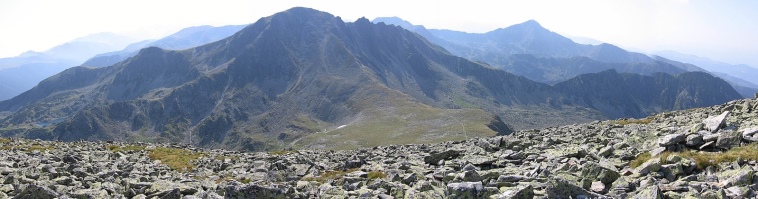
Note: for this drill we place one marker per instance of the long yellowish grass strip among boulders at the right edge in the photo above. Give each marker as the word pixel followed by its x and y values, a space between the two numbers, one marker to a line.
pixel 706 159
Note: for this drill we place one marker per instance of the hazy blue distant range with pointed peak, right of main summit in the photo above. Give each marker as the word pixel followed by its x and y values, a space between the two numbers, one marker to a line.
pixel 554 58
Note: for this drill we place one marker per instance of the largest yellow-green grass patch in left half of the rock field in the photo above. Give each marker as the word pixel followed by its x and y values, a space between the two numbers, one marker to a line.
pixel 177 159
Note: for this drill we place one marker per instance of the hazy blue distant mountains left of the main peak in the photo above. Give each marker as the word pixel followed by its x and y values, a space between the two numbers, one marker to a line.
pixel 21 73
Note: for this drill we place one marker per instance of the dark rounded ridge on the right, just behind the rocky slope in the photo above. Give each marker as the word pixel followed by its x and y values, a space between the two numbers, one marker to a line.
pixel 620 95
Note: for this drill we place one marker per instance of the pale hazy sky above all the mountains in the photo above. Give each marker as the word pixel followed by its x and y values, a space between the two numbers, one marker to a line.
pixel 721 30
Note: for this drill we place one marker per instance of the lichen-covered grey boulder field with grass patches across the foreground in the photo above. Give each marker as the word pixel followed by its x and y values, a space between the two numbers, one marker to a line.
pixel 697 153
